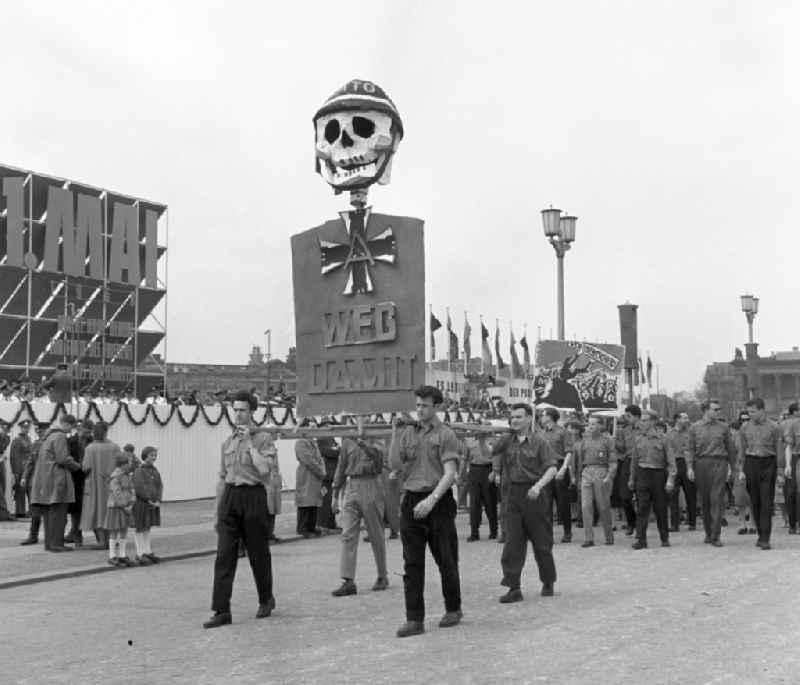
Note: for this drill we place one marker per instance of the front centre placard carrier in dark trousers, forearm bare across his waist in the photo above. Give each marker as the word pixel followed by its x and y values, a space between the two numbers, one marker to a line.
pixel 427 456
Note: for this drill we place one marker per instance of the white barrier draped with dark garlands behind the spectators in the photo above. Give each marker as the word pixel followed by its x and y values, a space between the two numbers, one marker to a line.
pixel 188 457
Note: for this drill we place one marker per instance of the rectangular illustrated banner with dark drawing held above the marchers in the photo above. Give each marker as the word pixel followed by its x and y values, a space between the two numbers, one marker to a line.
pixel 578 375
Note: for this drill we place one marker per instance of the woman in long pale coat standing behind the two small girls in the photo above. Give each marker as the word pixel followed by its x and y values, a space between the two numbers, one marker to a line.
pixel 99 462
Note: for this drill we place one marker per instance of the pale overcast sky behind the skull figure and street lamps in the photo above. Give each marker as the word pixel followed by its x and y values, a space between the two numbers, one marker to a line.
pixel 670 129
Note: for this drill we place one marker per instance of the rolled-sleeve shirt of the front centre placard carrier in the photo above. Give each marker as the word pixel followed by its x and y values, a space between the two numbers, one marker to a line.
pixel 420 452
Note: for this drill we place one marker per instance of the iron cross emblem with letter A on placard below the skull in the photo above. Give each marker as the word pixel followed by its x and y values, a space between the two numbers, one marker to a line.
pixel 358 253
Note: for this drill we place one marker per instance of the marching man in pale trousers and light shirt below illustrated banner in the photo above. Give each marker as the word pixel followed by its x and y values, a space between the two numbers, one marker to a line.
pixel 595 468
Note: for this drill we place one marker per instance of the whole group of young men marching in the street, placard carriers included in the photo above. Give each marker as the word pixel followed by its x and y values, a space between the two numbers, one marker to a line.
pixel 641 469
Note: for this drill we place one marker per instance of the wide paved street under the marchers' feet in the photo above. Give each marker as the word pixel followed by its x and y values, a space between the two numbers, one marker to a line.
pixel 688 614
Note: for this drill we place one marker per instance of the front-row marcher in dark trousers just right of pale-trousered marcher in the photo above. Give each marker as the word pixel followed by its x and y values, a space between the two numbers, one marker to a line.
pixel 652 478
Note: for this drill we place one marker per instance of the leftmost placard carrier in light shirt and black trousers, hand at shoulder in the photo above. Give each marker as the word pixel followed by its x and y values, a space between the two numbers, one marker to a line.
pixel 248 457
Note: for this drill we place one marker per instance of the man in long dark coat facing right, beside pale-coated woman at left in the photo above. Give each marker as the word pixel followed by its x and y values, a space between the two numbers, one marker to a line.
pixel 52 488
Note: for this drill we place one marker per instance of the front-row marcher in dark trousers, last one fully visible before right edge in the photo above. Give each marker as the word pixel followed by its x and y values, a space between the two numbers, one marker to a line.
pixel 761 458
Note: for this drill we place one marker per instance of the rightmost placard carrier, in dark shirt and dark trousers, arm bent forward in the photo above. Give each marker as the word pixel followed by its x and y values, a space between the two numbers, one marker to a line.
pixel 528 463
